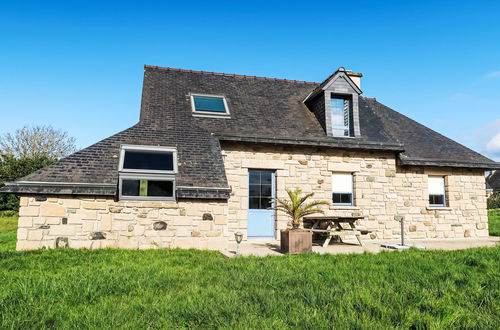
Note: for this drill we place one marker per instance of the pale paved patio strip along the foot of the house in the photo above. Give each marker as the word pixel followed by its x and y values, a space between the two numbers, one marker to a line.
pixel 266 247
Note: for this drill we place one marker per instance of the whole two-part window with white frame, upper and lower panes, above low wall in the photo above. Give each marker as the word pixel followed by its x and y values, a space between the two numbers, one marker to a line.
pixel 147 172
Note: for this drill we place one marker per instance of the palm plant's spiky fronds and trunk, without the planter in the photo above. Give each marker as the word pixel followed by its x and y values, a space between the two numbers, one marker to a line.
pixel 297 208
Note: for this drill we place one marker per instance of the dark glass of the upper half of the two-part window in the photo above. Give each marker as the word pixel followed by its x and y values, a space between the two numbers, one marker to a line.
pixel 148 160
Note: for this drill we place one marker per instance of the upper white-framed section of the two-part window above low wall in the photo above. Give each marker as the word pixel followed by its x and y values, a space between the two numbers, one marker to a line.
pixel 148 159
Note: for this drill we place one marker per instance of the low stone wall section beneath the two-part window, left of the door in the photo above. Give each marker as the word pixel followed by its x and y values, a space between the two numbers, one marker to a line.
pixel 88 222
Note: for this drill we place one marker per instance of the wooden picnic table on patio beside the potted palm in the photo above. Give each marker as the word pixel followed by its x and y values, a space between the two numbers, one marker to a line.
pixel 332 226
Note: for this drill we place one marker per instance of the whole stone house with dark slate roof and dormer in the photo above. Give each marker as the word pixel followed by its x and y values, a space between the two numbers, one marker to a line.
pixel 212 150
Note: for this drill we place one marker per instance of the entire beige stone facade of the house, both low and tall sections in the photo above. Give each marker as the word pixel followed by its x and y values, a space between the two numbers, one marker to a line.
pixel 383 190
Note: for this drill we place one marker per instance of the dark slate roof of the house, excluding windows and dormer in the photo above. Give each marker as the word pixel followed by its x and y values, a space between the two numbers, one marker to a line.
pixel 263 110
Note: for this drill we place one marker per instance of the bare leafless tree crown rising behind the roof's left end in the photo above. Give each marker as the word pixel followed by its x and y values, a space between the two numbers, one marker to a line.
pixel 37 141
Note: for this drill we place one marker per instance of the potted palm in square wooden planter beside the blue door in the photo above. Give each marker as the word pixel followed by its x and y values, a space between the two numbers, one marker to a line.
pixel 297 240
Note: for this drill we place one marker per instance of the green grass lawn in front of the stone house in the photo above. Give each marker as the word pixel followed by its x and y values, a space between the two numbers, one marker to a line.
pixel 200 289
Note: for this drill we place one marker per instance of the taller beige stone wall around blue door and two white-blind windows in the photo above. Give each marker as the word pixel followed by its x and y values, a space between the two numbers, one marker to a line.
pixel 382 190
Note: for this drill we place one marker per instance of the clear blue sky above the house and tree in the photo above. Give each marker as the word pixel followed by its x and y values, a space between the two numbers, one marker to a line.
pixel 78 65
